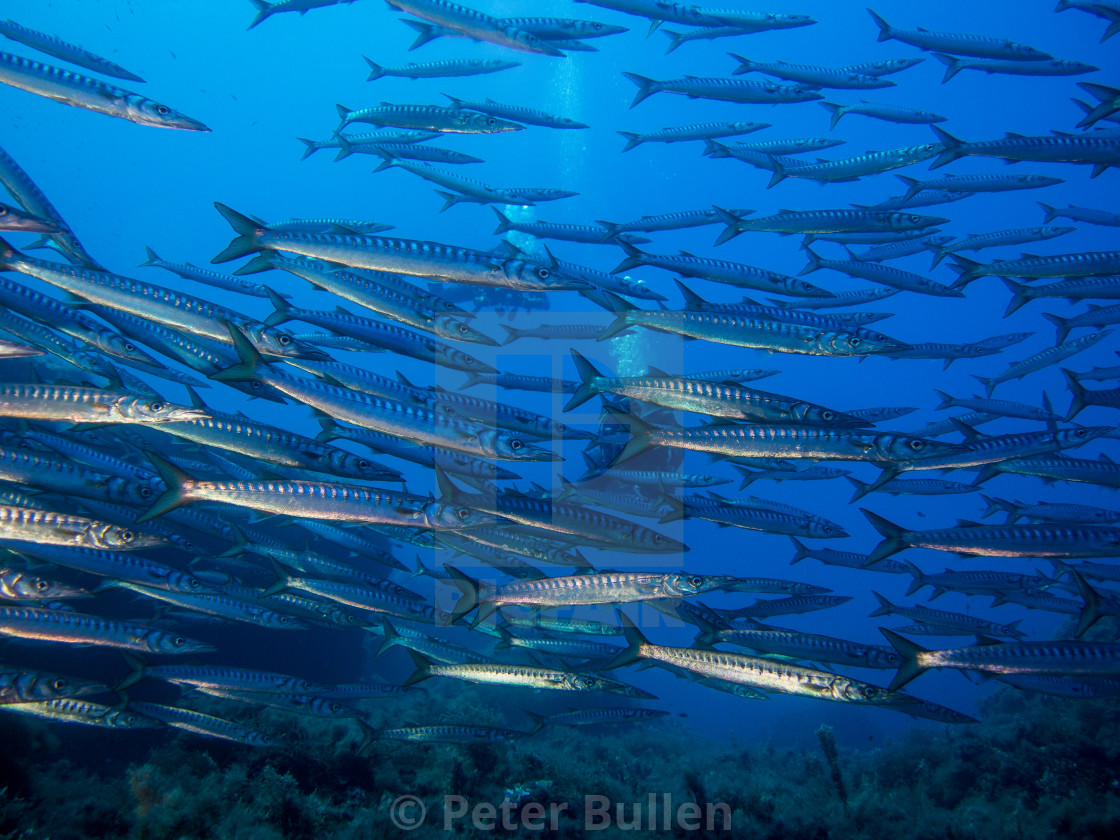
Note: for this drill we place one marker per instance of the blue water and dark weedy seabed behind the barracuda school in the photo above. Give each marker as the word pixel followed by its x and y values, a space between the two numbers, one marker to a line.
pixel 1035 766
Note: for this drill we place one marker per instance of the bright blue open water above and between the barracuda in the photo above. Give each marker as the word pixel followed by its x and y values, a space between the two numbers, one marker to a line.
pixel 123 186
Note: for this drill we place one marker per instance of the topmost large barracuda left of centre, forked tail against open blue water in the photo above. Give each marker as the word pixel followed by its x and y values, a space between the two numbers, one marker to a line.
pixel 431 260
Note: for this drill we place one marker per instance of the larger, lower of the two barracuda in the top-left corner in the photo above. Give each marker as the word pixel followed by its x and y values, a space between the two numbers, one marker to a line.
pixel 73 89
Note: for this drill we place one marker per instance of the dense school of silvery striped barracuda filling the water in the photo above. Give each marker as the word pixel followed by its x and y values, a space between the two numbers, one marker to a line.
pixel 208 519
